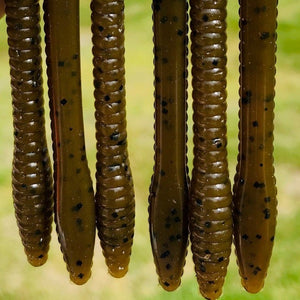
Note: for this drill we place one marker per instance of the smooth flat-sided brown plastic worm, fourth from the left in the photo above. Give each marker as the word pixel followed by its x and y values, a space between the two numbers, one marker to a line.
pixel 168 215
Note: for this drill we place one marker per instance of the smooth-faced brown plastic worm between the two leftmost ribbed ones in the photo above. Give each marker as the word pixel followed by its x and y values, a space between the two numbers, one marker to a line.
pixel 74 197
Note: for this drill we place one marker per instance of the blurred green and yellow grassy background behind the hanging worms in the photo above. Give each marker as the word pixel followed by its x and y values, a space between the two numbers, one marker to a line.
pixel 19 280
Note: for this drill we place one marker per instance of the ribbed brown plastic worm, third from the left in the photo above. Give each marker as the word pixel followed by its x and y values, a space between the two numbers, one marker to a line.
pixel 114 195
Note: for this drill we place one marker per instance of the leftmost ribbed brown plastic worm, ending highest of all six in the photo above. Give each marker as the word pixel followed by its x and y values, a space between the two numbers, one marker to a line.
pixel 31 176
